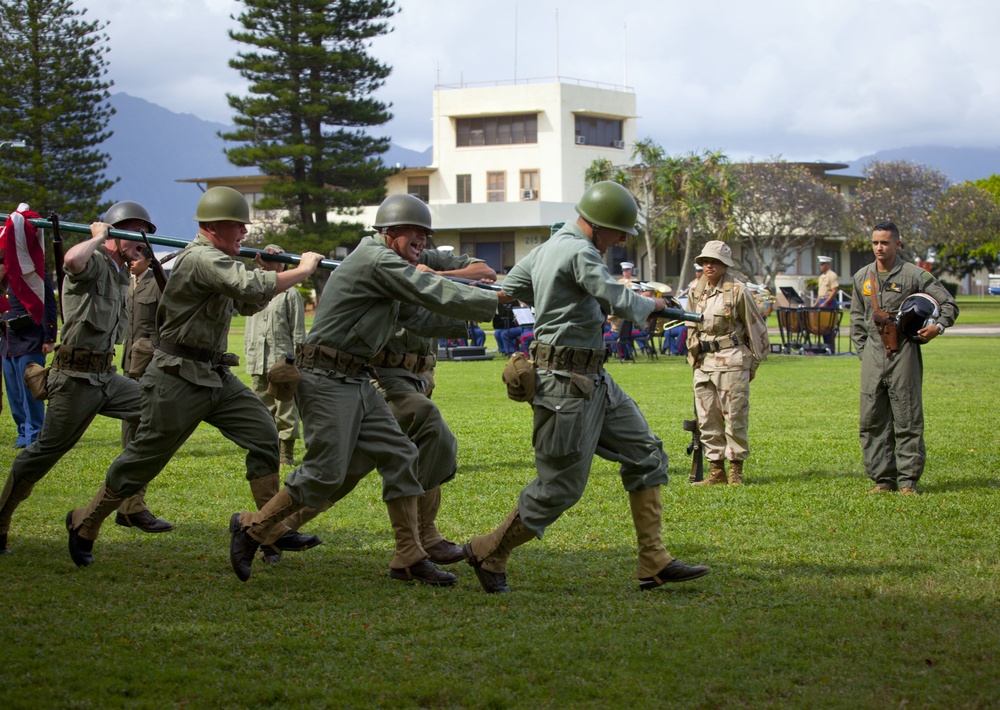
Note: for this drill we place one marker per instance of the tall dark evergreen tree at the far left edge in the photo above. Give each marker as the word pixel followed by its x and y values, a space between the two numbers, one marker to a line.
pixel 55 98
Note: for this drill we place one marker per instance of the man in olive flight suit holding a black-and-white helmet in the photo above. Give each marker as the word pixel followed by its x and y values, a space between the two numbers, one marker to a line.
pixel 892 412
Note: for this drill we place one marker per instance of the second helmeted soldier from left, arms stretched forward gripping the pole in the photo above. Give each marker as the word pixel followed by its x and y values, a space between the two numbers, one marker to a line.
pixel 188 380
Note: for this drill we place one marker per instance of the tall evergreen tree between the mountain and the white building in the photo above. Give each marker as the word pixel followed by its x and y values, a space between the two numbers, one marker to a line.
pixel 310 108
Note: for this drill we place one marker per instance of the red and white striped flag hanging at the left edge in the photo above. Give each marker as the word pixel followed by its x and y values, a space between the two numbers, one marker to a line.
pixel 24 257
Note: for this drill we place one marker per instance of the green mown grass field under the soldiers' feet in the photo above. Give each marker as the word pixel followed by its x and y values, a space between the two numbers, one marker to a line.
pixel 820 595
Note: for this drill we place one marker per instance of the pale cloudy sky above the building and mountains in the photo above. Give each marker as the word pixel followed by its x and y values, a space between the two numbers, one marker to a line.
pixel 807 79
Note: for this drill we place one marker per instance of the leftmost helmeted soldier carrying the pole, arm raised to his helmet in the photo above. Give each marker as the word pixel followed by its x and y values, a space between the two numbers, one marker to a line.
pixel 83 382
